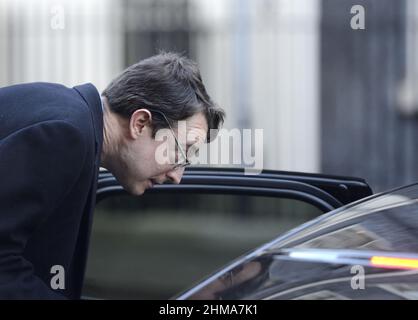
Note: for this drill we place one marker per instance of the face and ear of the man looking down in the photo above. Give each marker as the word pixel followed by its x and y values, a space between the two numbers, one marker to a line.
pixel 137 168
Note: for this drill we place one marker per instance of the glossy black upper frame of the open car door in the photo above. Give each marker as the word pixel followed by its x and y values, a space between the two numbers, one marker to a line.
pixel 325 192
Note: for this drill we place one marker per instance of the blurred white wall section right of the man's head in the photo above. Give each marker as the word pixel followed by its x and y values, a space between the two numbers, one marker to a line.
pixel 280 83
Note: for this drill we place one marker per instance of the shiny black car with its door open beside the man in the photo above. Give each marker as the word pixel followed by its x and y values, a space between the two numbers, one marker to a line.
pixel 344 243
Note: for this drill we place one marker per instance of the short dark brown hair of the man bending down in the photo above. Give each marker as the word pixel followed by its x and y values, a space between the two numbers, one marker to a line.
pixel 167 82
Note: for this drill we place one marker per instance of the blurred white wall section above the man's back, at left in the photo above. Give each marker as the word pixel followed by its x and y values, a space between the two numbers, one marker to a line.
pixel 87 49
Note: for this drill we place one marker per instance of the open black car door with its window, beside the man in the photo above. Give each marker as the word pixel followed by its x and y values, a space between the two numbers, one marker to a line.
pixel 156 245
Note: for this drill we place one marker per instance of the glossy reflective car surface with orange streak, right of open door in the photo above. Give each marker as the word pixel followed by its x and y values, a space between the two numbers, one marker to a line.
pixel 379 233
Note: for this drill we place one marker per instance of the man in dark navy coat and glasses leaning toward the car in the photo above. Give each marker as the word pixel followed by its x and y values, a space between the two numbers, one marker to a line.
pixel 53 140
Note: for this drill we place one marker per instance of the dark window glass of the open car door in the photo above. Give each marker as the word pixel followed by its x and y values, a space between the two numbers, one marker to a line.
pixel 156 245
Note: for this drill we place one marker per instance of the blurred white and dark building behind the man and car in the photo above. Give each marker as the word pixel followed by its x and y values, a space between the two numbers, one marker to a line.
pixel 329 98
